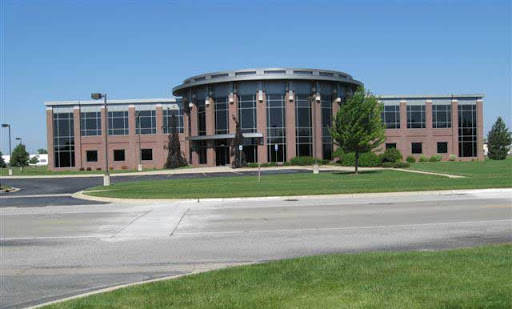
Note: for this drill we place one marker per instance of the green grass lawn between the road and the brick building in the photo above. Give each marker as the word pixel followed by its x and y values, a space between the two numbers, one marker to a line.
pixel 486 174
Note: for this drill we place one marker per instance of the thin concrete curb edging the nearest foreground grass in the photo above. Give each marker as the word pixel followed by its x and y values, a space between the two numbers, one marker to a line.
pixel 121 286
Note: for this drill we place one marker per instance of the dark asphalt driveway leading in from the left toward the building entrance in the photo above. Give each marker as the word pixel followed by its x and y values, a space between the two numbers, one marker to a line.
pixel 54 188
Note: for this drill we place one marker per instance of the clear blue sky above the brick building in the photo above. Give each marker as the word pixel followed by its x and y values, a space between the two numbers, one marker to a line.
pixel 64 50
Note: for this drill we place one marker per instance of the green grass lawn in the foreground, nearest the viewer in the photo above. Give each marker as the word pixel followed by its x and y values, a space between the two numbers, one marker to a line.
pixel 463 278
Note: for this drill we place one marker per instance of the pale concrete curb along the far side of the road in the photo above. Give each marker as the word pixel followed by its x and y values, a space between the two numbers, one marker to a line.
pixel 81 195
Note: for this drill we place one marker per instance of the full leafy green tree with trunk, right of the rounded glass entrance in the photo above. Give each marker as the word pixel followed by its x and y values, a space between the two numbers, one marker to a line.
pixel 358 127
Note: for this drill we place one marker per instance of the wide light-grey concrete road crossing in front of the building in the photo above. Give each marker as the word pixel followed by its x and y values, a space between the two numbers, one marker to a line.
pixel 53 252
